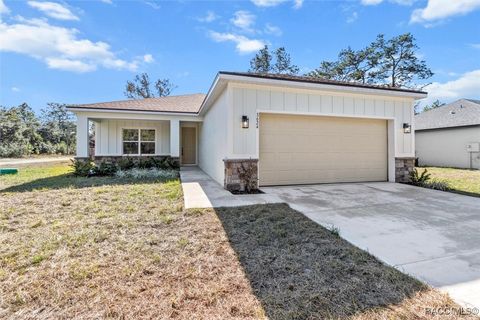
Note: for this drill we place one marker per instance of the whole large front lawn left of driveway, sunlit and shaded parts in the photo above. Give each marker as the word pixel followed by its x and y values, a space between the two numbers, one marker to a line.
pixel 118 248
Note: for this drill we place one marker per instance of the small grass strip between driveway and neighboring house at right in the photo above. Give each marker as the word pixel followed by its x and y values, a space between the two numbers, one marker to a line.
pixel 460 180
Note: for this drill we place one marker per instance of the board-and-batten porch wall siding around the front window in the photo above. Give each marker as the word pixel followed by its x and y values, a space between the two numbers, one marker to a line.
pixel 108 134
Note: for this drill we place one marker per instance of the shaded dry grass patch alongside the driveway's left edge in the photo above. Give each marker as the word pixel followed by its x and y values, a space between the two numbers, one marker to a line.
pixel 300 270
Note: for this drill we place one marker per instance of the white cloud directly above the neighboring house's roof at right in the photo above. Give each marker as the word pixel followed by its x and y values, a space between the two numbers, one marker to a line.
pixel 466 86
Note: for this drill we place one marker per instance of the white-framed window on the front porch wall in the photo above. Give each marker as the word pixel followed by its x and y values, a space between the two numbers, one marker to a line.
pixel 138 141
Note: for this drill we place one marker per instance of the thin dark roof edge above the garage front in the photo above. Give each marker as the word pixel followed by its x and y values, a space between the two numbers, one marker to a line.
pixel 287 77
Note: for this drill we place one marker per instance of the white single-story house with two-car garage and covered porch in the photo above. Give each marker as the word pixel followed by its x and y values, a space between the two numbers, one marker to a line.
pixel 291 129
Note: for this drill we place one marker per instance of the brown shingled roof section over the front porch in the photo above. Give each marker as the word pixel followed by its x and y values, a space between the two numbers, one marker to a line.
pixel 189 103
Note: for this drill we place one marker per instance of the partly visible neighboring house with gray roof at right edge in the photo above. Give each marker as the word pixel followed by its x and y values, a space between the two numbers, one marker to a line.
pixel 449 136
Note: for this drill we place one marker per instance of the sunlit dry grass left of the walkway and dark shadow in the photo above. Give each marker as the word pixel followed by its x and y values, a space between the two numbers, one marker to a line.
pixel 115 250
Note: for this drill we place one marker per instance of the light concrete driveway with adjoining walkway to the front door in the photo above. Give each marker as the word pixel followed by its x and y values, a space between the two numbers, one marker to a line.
pixel 432 235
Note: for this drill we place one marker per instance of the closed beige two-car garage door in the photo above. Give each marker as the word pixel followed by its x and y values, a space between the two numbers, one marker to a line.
pixel 311 149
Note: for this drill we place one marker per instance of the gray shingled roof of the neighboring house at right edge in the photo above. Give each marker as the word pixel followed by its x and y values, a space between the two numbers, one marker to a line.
pixel 463 112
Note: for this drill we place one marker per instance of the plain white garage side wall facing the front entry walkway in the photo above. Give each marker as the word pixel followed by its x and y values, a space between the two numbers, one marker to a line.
pixel 212 138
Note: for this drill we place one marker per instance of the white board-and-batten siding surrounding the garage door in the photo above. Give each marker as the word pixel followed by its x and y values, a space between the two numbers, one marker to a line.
pixel 250 99
